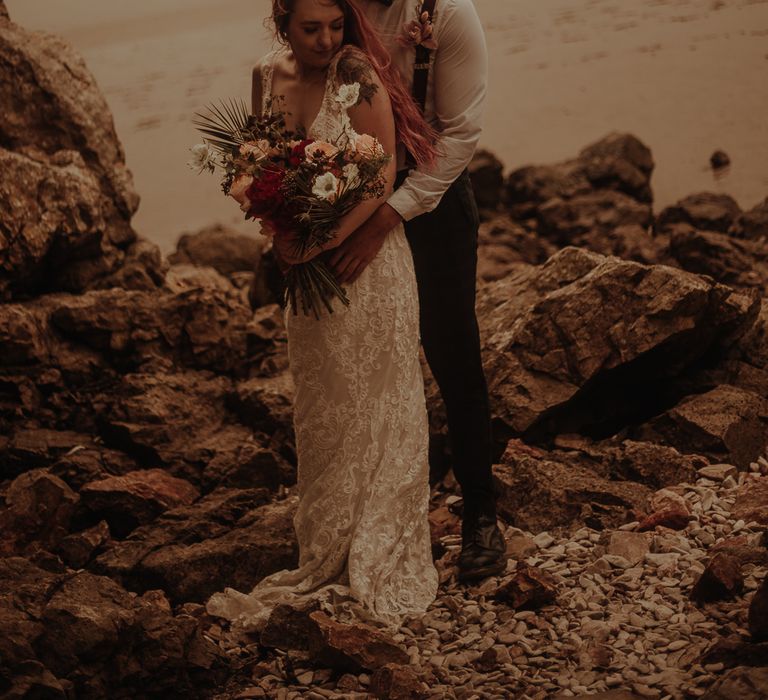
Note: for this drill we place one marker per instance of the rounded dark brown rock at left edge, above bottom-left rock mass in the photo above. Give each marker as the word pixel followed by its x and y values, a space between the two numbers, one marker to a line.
pixel 39 507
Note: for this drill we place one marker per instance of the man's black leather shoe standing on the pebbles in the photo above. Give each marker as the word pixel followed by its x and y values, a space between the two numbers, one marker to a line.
pixel 483 549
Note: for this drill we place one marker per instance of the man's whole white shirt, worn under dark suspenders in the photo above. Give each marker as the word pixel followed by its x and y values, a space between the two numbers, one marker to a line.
pixel 455 92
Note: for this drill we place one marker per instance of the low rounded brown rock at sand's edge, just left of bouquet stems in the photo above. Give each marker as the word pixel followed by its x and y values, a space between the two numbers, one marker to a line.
pixel 225 250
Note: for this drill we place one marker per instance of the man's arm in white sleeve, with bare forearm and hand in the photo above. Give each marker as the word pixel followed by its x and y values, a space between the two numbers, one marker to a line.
pixel 460 75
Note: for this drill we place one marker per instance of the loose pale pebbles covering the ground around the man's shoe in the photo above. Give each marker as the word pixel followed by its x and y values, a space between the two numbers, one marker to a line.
pixel 615 625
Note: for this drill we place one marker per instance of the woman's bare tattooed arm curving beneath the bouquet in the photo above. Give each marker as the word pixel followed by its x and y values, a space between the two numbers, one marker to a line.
pixel 371 115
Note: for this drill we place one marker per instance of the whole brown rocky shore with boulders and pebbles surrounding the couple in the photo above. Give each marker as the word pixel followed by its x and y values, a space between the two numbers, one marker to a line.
pixel 146 450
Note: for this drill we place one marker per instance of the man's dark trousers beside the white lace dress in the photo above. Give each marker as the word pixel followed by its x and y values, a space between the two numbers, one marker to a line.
pixel 444 247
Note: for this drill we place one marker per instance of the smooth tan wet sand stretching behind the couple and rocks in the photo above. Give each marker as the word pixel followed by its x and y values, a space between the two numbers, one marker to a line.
pixel 685 76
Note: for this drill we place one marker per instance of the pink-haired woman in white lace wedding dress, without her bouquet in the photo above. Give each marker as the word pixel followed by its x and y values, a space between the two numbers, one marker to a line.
pixel 359 408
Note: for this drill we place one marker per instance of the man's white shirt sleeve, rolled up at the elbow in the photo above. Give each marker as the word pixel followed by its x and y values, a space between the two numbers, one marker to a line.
pixel 459 86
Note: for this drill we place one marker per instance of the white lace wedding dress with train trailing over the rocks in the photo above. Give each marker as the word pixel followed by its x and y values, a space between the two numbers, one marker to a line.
pixel 361 439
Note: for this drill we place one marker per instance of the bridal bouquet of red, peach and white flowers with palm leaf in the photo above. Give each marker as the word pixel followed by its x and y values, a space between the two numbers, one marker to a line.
pixel 297 187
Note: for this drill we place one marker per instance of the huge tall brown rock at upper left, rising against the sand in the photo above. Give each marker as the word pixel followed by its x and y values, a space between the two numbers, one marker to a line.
pixel 67 194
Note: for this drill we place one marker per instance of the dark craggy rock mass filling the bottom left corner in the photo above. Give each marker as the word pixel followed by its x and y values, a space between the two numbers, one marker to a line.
pixel 87 635
